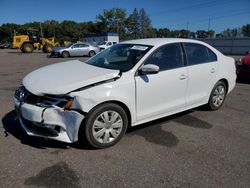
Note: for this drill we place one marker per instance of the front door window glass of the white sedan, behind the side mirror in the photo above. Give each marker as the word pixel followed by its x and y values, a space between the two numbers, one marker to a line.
pixel 167 57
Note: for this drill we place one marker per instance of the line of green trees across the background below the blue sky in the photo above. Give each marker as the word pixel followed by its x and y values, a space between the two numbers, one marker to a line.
pixel 129 26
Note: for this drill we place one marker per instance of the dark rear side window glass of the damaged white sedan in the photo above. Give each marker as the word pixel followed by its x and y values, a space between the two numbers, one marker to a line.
pixel 198 54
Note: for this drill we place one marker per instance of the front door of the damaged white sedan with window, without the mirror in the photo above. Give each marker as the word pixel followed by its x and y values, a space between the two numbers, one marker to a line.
pixel 165 91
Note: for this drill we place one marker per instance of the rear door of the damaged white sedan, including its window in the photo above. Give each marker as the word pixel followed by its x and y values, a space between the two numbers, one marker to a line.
pixel 202 70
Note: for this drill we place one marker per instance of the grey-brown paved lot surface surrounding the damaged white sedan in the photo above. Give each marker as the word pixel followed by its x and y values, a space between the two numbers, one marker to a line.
pixel 196 148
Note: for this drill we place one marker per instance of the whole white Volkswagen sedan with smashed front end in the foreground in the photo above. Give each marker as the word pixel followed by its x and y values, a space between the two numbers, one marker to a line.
pixel 125 85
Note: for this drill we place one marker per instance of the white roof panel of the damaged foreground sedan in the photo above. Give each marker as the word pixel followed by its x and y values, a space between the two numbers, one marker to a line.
pixel 160 41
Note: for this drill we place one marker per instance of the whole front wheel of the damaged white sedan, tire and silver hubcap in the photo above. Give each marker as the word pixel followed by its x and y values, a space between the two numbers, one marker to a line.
pixel 105 125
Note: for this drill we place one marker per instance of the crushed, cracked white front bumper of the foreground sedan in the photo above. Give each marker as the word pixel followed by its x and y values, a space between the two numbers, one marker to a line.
pixel 49 122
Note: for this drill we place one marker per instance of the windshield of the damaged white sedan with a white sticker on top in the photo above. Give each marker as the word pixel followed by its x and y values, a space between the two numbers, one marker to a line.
pixel 120 56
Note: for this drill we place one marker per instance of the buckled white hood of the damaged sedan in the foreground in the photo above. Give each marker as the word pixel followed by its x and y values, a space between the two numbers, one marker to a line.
pixel 62 78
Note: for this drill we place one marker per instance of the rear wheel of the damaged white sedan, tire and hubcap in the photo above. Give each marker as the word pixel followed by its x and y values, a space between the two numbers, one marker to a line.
pixel 217 96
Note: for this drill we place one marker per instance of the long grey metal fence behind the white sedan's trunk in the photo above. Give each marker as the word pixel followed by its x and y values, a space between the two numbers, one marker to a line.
pixel 230 46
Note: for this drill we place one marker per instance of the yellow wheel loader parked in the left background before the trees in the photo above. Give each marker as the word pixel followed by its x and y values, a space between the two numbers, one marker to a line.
pixel 27 43
